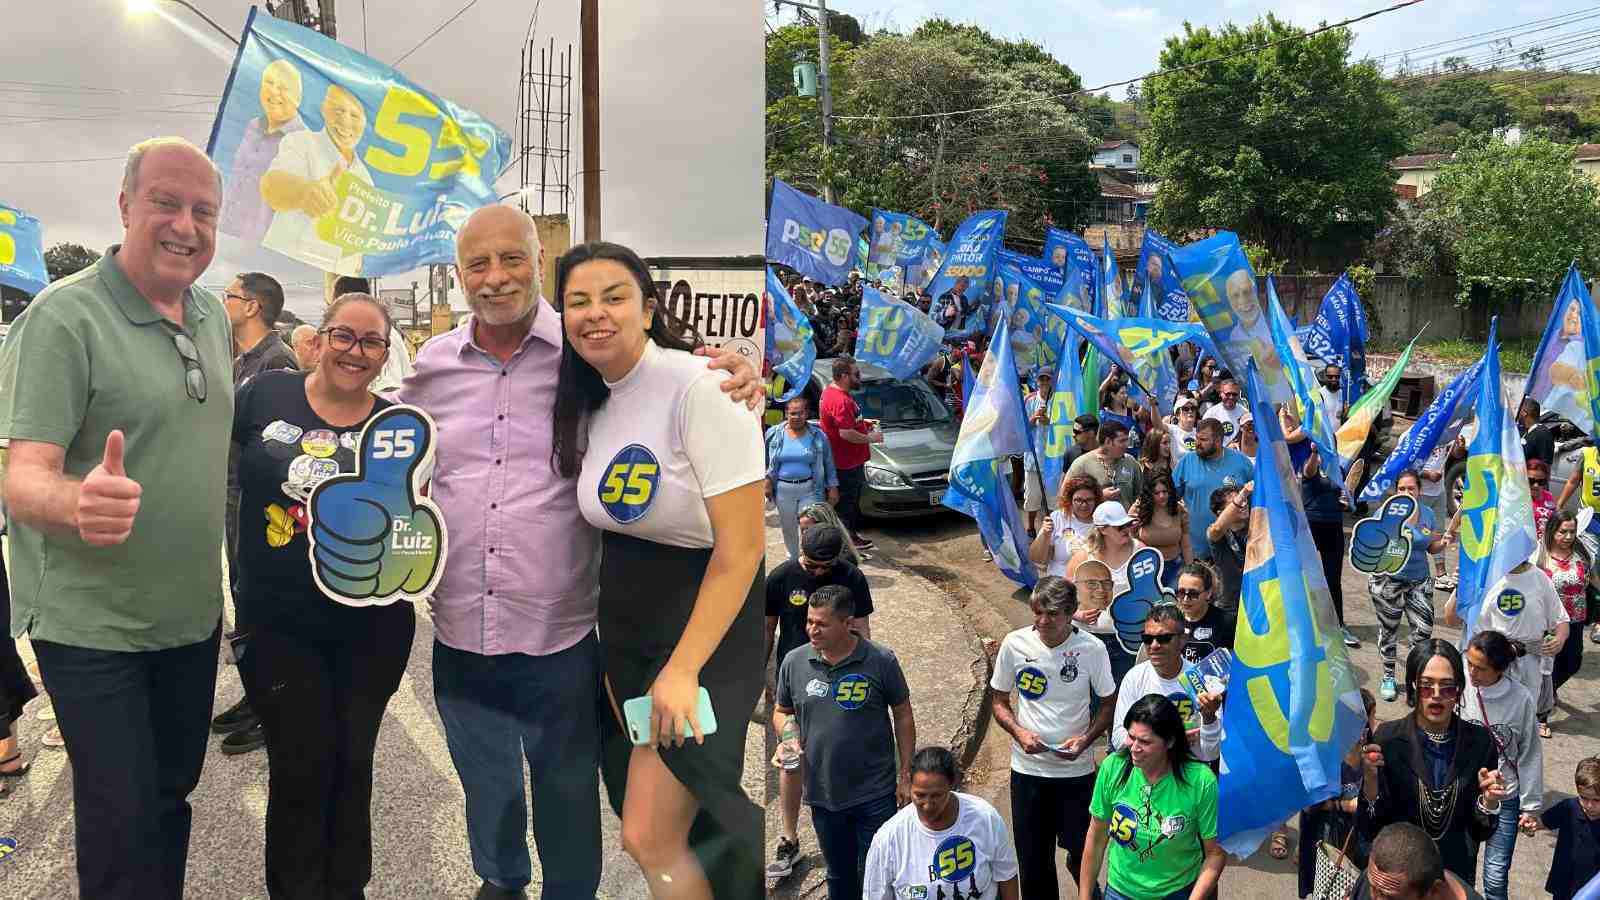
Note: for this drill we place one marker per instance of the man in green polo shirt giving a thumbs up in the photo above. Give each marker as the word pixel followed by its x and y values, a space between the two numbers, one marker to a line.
pixel 116 393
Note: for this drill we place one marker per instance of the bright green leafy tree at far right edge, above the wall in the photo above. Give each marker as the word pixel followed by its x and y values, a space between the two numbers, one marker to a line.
pixel 1516 215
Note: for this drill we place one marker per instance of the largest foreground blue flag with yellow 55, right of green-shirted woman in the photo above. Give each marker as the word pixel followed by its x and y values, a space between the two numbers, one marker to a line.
pixel 1294 707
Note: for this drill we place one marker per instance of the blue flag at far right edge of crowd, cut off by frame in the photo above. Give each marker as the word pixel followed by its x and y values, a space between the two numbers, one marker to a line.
pixel 1564 374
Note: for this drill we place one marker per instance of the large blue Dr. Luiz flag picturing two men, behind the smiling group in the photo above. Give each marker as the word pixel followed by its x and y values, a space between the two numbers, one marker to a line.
pixel 342 163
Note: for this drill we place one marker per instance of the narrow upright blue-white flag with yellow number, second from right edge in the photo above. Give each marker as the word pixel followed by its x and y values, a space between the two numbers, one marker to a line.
pixel 1497 512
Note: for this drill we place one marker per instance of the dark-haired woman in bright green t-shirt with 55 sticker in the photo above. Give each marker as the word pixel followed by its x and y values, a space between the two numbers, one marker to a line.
pixel 1158 805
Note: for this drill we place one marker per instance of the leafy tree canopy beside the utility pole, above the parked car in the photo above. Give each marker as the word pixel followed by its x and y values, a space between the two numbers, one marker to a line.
pixel 1028 158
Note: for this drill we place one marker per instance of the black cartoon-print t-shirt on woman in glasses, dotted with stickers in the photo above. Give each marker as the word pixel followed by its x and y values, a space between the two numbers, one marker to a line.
pixel 284 451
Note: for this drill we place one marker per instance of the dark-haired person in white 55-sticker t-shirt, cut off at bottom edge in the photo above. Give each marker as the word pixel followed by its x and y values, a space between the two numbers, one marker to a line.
pixel 943 845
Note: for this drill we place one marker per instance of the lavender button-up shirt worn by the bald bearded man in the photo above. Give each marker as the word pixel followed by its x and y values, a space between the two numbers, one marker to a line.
pixel 522 574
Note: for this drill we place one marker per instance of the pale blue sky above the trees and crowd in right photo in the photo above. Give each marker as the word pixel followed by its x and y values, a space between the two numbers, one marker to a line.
pixel 1110 42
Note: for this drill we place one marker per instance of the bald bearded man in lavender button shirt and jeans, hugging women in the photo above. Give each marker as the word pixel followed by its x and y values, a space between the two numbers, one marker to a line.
pixel 516 657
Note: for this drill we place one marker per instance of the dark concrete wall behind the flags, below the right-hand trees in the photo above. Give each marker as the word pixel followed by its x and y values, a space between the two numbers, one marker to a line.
pixel 1399 308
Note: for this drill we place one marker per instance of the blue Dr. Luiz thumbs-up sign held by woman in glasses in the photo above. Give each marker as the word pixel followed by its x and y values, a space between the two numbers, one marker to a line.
pixel 374 536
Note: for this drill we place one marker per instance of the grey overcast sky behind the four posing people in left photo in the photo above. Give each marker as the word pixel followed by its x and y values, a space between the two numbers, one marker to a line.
pixel 681 110
